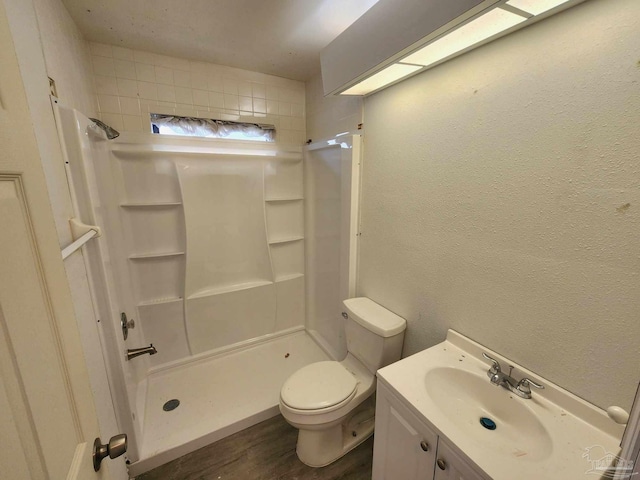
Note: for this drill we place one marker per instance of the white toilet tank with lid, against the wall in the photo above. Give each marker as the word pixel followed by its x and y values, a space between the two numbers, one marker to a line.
pixel 374 334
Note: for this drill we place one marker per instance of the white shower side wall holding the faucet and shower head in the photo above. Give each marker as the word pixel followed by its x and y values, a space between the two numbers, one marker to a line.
pixel 99 298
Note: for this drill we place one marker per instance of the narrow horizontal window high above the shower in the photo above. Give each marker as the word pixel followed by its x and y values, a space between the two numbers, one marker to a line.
pixel 211 128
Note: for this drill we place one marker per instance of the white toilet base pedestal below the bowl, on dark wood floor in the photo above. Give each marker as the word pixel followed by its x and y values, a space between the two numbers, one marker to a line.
pixel 320 447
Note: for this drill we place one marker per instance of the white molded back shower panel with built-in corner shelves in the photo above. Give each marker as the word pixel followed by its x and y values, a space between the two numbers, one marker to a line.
pixel 214 244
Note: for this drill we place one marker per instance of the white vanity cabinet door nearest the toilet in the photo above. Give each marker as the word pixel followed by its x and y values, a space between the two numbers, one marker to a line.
pixel 404 448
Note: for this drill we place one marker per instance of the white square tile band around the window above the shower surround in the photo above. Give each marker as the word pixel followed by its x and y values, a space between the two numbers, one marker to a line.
pixel 132 83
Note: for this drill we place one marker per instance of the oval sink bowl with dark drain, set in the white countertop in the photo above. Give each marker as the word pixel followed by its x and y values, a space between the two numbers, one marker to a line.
pixel 464 398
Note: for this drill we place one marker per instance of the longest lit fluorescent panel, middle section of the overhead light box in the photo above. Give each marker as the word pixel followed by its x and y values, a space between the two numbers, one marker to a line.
pixel 483 27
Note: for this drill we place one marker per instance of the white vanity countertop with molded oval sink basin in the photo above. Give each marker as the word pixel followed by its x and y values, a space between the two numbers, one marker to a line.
pixel 545 436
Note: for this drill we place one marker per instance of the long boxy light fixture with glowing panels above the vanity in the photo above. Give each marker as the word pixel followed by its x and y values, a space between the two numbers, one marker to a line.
pixel 489 20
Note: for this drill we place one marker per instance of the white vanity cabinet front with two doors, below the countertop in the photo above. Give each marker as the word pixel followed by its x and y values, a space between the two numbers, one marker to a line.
pixel 405 448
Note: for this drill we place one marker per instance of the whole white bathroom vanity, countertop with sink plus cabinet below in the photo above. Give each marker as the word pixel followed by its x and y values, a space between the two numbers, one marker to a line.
pixel 428 421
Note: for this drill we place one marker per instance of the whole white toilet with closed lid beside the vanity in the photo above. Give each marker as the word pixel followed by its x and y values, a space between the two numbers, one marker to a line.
pixel 332 404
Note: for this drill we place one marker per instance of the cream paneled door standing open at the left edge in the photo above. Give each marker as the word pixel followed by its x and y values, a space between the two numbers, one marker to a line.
pixel 47 417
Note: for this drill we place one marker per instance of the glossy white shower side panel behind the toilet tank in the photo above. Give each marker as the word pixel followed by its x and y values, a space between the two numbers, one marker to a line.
pixel 332 180
